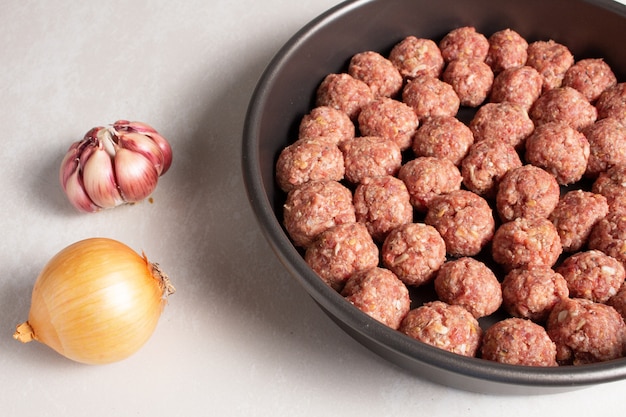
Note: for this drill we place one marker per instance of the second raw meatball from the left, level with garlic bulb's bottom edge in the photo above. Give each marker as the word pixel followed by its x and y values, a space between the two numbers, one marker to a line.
pixel 382 203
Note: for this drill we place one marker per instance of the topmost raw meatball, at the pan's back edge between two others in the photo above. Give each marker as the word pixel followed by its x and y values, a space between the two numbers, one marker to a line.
pixel 464 42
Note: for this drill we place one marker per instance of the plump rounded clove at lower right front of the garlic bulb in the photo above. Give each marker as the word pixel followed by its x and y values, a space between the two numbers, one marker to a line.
pixel 136 175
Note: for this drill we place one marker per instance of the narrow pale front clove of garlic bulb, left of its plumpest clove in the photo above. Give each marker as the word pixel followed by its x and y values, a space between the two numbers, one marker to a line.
pixel 99 179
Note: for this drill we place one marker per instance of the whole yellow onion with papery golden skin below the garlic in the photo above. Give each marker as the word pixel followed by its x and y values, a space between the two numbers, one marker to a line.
pixel 97 301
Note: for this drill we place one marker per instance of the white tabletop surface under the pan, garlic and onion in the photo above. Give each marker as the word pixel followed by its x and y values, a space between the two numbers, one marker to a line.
pixel 240 337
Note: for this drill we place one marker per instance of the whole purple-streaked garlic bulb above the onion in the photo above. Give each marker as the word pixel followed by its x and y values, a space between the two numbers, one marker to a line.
pixel 114 165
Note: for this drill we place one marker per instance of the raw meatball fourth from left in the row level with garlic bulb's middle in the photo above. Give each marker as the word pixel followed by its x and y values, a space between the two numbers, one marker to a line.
pixel 486 163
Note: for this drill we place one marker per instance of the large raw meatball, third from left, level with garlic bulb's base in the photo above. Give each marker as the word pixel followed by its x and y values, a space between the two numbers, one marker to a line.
pixel 464 220
